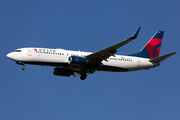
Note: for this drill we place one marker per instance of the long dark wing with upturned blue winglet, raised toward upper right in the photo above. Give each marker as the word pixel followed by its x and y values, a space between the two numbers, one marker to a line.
pixel 103 54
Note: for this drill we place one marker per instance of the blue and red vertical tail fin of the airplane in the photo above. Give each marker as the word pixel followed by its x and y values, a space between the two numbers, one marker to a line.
pixel 152 48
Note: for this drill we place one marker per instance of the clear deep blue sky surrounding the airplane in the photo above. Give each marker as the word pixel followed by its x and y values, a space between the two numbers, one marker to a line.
pixel 88 26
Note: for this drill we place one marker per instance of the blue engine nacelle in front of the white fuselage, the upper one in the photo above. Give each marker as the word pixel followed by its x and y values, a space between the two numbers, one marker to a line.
pixel 77 60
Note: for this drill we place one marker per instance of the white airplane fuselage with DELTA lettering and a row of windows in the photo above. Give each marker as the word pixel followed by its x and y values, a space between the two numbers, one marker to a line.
pixel 59 58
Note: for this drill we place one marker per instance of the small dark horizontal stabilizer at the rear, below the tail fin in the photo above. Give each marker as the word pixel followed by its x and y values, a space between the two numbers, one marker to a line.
pixel 161 58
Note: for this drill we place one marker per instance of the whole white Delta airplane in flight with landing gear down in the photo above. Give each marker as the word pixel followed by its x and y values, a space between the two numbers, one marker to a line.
pixel 80 64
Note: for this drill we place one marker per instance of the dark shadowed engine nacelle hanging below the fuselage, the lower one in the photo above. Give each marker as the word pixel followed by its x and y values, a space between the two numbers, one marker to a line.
pixel 62 72
